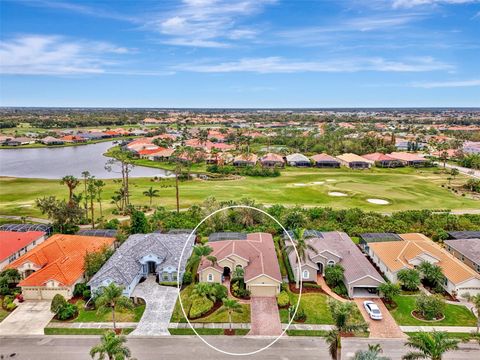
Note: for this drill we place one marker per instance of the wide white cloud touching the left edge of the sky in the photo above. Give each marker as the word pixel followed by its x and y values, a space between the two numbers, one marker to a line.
pixel 55 55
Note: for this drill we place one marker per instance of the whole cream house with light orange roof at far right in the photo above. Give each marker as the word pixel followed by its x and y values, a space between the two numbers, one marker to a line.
pixel 393 256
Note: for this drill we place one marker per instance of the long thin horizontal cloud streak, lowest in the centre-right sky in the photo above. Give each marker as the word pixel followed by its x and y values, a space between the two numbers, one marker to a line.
pixel 281 65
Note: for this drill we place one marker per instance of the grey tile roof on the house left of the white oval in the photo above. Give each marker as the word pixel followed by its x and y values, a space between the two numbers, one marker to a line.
pixel 124 265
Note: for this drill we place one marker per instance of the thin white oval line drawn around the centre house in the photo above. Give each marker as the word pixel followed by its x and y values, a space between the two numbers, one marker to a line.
pixel 298 276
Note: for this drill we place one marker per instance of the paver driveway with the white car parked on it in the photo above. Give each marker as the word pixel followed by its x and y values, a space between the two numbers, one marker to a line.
pixel 385 328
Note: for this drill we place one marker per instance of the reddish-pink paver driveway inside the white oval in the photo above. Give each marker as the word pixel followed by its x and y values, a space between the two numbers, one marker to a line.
pixel 265 319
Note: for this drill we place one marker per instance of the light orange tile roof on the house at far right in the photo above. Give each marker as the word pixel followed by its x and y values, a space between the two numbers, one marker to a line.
pixel 397 254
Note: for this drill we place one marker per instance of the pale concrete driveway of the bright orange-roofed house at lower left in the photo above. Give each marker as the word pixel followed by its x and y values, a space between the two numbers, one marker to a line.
pixel 30 318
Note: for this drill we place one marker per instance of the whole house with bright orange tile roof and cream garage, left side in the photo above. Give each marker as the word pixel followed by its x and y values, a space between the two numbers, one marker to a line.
pixel 56 265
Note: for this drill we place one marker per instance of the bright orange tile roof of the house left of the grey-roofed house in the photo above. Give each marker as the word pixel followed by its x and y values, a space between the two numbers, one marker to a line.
pixel 60 258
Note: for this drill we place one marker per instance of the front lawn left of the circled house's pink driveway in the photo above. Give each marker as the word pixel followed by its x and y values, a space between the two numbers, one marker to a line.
pixel 217 317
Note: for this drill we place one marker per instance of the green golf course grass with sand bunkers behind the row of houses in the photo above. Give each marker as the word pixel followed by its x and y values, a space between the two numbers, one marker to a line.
pixel 405 189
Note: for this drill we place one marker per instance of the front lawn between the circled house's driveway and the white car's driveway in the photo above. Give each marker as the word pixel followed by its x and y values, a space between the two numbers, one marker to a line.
pixel 316 309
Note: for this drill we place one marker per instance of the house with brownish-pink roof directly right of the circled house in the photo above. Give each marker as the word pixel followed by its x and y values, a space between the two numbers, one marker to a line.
pixel 360 277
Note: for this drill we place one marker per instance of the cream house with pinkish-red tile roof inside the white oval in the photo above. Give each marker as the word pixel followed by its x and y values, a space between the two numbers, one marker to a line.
pixel 256 255
